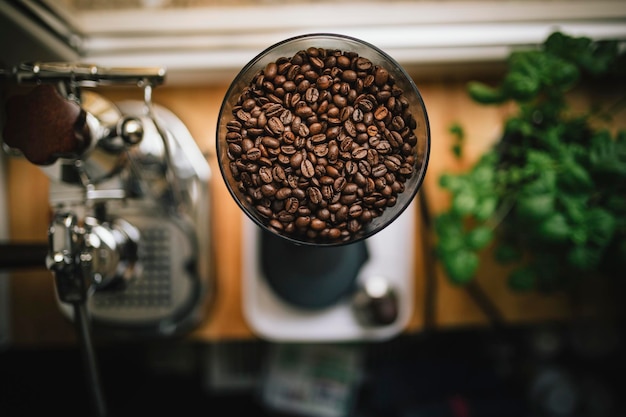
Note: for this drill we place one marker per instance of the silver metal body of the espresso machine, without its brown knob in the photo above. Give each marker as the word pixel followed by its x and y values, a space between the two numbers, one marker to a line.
pixel 131 213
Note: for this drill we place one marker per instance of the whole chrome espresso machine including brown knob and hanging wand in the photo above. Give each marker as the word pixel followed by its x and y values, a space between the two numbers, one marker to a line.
pixel 129 232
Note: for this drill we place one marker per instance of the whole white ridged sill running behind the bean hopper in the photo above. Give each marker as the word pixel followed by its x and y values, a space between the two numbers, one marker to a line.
pixel 211 44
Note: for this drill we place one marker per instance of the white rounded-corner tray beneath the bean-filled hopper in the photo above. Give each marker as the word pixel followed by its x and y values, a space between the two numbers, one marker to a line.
pixel 391 253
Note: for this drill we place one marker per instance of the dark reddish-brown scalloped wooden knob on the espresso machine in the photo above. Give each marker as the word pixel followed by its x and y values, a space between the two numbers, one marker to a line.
pixel 45 126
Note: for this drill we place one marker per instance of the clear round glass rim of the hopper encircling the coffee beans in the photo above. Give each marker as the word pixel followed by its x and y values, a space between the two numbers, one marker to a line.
pixel 397 211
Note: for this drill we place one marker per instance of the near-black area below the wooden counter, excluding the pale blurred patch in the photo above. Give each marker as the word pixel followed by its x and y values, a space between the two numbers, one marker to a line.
pixel 572 369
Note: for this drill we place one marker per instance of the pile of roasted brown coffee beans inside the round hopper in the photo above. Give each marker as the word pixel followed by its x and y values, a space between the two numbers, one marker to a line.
pixel 321 143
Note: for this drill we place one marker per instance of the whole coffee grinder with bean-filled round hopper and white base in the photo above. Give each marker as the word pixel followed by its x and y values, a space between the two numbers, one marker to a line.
pixel 323 141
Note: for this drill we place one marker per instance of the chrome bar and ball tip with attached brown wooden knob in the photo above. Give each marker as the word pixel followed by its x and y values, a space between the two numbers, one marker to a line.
pixel 48 123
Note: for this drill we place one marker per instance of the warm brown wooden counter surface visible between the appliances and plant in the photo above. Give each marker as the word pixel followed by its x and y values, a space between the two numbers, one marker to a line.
pixel 36 320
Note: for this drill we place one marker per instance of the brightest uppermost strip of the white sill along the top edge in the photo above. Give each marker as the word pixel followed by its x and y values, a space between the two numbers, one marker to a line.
pixel 254 19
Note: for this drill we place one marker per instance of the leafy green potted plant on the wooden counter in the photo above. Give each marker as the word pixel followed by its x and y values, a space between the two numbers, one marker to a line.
pixel 550 196
